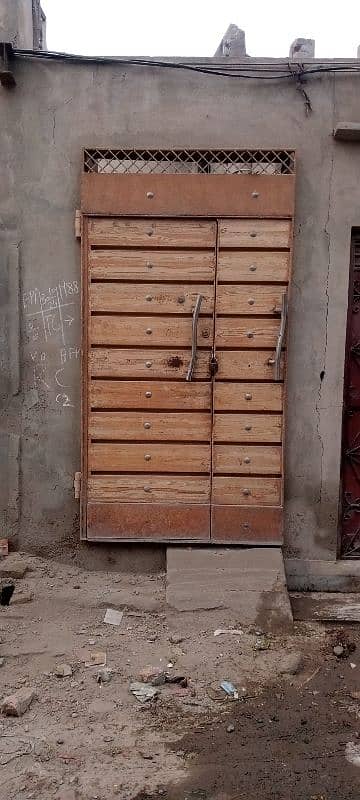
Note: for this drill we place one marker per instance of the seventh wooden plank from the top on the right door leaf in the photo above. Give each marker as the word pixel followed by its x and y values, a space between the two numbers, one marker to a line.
pixel 247 427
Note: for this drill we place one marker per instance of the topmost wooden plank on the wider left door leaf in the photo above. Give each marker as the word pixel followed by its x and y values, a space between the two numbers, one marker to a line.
pixel 149 233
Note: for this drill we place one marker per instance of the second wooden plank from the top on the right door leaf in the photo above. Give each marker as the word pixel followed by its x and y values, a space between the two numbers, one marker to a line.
pixel 239 266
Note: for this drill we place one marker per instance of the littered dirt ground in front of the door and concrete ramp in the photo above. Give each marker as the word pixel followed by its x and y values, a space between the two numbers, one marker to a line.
pixel 286 737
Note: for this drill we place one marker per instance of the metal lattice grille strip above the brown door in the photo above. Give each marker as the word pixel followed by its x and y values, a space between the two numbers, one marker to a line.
pixel 182 162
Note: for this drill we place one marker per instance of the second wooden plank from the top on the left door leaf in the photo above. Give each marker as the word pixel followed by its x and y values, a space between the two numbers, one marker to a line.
pixel 152 265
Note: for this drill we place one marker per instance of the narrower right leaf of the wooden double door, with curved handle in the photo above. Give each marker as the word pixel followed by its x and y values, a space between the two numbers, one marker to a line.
pixel 254 258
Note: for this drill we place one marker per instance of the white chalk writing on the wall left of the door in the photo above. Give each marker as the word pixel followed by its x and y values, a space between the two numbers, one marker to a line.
pixel 51 318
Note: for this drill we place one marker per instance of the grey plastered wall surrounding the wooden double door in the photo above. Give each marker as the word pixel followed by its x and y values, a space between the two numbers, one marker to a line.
pixel 55 110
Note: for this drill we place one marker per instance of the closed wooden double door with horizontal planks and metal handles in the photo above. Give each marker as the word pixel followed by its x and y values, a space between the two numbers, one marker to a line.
pixel 184 369
